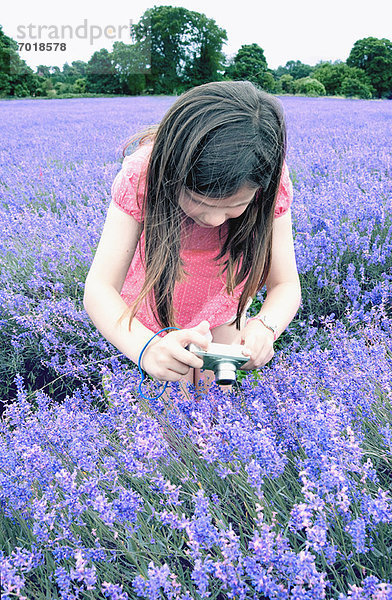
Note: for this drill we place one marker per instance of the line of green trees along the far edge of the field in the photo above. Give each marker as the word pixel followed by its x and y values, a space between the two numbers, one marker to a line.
pixel 173 49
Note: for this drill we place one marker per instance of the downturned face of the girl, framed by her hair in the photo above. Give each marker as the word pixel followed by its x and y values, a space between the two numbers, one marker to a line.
pixel 212 212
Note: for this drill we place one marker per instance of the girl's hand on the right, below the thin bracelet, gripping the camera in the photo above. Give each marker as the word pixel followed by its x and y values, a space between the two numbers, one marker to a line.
pixel 258 345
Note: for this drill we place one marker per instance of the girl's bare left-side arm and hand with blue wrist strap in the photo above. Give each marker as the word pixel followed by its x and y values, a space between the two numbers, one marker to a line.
pixel 166 357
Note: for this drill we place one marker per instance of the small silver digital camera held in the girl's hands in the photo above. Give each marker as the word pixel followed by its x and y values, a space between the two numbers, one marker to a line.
pixel 223 359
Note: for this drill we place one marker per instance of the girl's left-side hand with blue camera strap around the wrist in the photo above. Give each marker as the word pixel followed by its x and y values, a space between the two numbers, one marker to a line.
pixel 168 360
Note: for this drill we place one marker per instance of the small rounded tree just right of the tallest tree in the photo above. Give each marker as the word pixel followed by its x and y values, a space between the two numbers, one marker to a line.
pixel 249 64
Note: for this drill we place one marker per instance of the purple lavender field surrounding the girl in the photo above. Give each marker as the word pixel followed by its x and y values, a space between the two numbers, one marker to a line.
pixel 279 490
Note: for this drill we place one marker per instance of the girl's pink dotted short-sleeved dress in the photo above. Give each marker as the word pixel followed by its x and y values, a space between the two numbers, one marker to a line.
pixel 202 295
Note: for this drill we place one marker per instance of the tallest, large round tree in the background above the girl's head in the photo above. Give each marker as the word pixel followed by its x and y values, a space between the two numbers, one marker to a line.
pixel 184 45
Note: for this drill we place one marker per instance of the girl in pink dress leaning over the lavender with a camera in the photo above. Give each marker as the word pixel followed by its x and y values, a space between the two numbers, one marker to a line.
pixel 199 221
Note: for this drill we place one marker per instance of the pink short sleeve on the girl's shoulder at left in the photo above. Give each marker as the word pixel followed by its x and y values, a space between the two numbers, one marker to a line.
pixel 125 191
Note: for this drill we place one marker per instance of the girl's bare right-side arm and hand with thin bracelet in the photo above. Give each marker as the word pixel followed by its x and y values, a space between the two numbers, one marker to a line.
pixel 283 295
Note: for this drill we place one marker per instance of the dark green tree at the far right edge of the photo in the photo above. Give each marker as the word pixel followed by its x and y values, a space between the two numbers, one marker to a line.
pixel 374 56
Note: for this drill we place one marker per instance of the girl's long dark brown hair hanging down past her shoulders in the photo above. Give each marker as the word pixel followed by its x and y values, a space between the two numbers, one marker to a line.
pixel 215 139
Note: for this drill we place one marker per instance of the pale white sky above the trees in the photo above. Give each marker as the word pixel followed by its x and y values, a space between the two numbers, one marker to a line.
pixel 304 30
